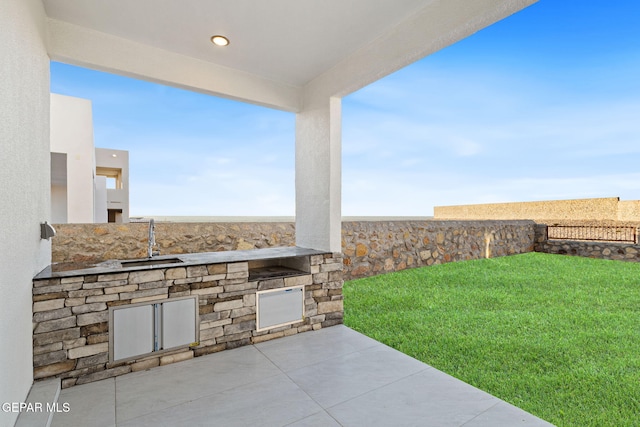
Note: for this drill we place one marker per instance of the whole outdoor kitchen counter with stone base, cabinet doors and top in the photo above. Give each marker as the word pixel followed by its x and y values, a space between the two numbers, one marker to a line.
pixel 124 316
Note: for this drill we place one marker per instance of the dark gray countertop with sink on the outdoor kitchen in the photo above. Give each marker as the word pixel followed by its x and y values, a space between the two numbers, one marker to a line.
pixel 61 270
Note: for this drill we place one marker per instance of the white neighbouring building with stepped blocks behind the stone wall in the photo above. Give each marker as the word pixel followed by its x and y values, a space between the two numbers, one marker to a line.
pixel 88 185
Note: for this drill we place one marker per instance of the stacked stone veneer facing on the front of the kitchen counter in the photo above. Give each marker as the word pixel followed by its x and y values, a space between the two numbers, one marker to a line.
pixel 71 316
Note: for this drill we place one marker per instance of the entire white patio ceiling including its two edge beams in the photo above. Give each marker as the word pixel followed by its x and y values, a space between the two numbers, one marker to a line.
pixel 278 49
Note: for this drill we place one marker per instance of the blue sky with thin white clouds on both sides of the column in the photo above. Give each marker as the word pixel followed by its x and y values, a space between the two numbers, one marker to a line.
pixel 543 105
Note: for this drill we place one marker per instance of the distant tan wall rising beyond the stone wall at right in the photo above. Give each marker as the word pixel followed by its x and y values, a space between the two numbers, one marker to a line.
pixel 601 209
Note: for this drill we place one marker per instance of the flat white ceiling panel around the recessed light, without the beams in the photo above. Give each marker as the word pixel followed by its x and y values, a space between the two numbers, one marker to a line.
pixel 288 41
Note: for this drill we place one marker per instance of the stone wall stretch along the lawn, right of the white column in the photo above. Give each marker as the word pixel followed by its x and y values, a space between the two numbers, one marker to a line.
pixel 377 247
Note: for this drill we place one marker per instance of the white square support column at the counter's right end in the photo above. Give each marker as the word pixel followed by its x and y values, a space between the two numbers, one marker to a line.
pixel 319 176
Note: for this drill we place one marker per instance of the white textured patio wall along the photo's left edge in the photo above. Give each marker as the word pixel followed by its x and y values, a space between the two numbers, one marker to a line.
pixel 24 187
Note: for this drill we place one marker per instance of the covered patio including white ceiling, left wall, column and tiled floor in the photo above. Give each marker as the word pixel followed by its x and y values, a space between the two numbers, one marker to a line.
pixel 301 57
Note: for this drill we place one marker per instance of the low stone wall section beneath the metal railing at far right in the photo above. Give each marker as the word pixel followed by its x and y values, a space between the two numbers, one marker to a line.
pixel 602 250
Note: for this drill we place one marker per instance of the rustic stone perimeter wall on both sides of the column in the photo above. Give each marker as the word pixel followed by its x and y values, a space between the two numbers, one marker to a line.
pixel 369 247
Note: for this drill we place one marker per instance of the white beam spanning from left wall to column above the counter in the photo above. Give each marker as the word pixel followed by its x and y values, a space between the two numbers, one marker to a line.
pixel 88 48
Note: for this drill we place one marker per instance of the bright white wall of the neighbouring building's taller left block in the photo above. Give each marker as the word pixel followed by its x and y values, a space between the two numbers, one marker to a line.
pixel 72 133
